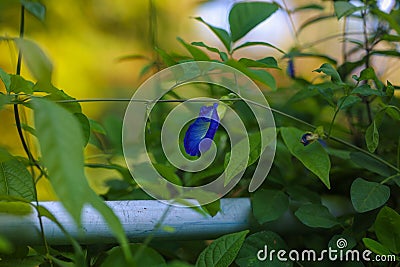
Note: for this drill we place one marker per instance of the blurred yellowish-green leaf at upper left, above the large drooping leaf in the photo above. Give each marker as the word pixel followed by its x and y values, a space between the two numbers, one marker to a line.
pixel 36 60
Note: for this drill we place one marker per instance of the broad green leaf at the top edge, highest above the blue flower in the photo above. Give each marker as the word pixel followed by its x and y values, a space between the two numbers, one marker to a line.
pixel 244 16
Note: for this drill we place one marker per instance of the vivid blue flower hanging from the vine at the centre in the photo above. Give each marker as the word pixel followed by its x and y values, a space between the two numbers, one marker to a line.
pixel 201 132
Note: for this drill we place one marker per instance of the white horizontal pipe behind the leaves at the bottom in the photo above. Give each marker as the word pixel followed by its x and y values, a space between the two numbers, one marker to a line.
pixel 138 217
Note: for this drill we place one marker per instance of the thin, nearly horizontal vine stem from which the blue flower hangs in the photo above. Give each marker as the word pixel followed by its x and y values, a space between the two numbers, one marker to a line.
pixel 276 111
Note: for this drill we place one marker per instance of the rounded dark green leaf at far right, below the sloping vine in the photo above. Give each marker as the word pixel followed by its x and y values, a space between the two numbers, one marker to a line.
pixel 367 196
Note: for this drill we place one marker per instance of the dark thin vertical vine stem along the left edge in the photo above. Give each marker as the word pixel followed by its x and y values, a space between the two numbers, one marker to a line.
pixel 23 141
